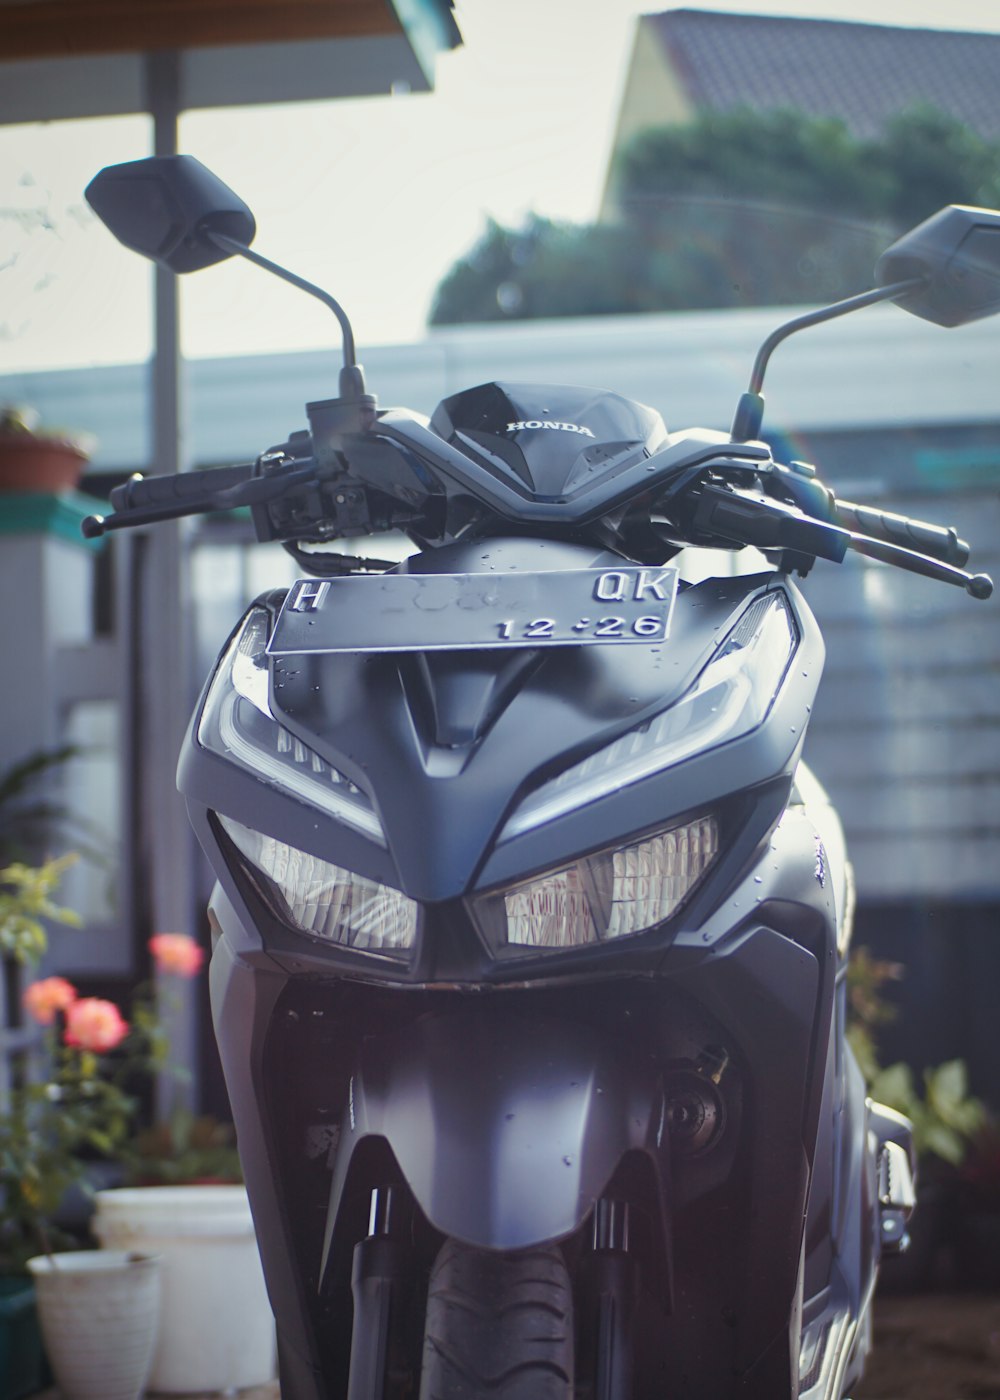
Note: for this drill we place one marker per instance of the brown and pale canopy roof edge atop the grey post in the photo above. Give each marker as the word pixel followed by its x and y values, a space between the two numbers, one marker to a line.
pixel 86 58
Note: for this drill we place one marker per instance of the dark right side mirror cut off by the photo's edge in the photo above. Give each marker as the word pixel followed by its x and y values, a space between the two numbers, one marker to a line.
pixel 957 253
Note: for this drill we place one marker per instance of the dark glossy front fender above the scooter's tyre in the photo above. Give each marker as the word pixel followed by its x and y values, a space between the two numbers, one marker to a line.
pixel 508 1129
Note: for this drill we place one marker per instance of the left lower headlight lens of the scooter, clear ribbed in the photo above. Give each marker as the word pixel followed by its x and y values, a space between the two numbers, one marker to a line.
pixel 326 901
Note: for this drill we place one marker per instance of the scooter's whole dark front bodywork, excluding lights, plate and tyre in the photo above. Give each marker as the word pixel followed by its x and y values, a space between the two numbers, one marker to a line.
pixel 349 1073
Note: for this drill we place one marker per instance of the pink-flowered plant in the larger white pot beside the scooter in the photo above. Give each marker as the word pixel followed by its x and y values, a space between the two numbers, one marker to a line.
pixel 215 1324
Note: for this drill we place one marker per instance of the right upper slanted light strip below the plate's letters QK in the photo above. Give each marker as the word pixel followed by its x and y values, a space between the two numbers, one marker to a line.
pixel 732 696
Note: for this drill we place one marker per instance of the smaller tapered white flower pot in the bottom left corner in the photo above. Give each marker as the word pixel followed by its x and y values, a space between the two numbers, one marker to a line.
pixel 99 1312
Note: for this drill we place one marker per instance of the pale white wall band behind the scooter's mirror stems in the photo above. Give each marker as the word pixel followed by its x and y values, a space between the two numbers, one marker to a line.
pixel 876 369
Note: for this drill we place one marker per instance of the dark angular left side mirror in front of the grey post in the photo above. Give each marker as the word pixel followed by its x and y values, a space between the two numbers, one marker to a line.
pixel 167 208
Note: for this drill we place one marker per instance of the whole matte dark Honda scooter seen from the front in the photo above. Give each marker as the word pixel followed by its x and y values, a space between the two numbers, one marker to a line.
pixel 532 927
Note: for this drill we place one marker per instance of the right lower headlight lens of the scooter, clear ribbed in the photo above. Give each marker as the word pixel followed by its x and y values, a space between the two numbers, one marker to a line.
pixel 611 895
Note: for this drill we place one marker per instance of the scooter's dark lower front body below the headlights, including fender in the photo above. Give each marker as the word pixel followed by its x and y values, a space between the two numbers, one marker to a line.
pixel 505 1115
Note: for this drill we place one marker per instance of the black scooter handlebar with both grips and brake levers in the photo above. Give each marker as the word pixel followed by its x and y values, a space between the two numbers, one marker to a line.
pixel 711 498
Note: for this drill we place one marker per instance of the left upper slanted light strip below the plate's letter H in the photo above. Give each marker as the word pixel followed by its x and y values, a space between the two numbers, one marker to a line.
pixel 237 724
